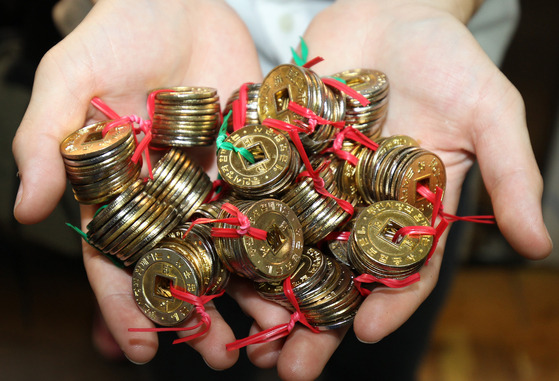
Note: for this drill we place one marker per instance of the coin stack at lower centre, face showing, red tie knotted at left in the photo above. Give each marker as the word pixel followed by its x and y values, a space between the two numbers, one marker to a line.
pixel 269 260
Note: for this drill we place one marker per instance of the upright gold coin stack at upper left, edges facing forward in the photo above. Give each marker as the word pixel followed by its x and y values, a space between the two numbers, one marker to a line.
pixel 185 117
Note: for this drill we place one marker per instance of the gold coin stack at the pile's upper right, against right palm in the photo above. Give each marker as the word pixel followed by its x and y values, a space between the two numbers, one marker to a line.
pixel 373 85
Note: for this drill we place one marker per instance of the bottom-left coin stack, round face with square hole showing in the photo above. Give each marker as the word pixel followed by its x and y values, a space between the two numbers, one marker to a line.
pixel 188 263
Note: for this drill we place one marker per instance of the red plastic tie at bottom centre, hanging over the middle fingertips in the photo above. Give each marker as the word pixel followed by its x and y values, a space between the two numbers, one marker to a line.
pixel 279 331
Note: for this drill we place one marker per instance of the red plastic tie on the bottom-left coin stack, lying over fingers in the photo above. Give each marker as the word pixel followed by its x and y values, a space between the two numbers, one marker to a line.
pixel 198 302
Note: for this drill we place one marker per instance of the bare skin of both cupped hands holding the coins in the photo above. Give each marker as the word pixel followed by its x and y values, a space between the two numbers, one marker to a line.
pixel 445 92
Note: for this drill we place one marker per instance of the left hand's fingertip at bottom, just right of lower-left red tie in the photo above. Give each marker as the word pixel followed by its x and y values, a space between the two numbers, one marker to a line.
pixel 211 345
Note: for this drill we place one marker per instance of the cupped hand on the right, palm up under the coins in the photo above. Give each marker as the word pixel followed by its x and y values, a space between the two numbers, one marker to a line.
pixel 445 92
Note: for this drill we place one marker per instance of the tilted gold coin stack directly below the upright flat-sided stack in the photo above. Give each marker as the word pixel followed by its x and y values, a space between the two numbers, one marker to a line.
pixel 180 182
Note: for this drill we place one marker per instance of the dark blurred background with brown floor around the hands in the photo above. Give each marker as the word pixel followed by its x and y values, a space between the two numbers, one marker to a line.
pixel 501 316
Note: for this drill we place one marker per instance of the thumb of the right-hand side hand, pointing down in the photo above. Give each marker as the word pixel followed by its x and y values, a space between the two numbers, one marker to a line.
pixel 510 171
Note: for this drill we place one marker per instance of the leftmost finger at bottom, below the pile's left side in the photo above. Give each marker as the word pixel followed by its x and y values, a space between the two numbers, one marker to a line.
pixel 112 287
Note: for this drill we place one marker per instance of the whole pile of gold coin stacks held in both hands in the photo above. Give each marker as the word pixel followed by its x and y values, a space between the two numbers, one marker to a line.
pixel 150 223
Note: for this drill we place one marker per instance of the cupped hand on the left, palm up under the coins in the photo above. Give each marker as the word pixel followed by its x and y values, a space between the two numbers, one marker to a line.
pixel 121 51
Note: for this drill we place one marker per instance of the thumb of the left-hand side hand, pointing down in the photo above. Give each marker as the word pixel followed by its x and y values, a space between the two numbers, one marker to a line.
pixel 56 109
